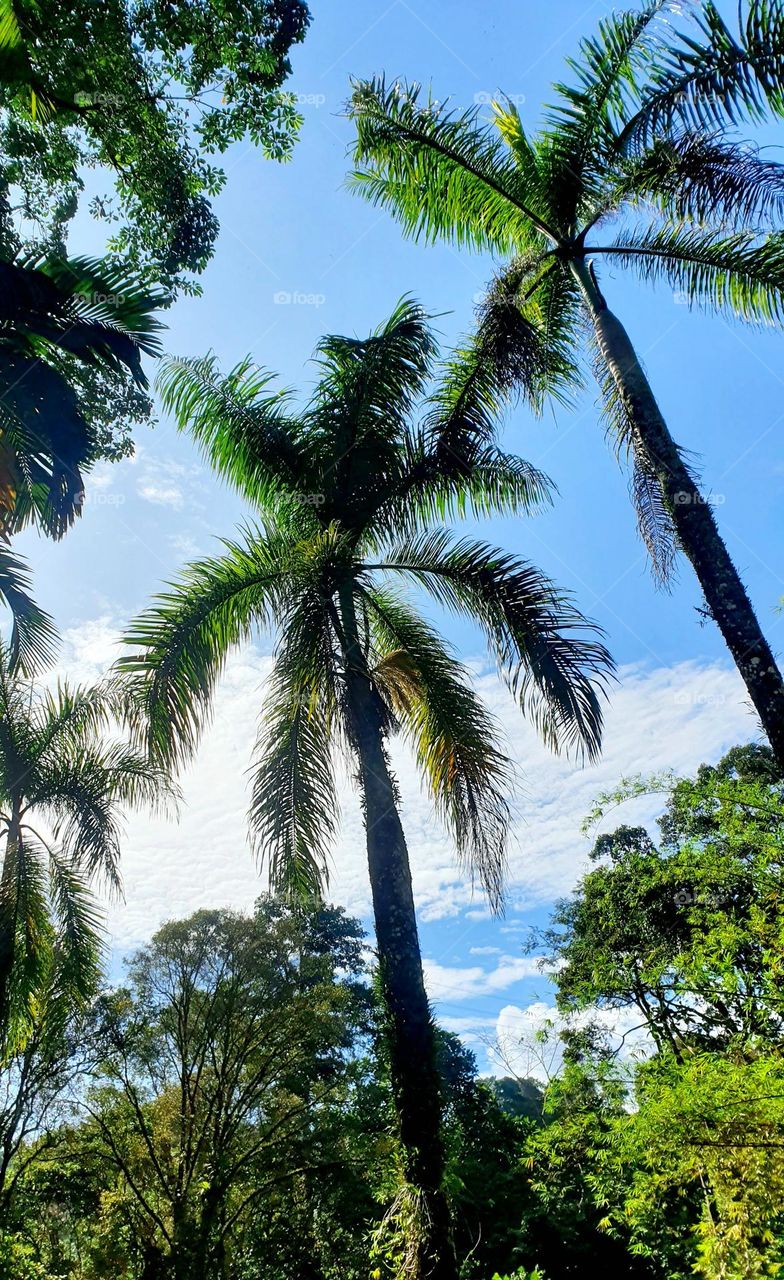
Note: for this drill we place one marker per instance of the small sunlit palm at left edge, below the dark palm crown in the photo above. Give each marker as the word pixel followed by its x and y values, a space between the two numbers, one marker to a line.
pixel 63 785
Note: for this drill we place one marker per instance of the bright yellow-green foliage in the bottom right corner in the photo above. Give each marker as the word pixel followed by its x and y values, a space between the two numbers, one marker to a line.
pixel 709 1130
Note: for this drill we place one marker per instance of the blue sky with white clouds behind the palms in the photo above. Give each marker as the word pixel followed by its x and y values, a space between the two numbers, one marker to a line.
pixel 294 232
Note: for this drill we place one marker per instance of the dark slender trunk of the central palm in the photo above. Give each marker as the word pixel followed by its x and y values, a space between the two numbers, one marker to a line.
pixel 412 1041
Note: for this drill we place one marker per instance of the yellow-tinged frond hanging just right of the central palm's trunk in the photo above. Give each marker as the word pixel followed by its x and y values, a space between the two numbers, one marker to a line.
pixel 453 735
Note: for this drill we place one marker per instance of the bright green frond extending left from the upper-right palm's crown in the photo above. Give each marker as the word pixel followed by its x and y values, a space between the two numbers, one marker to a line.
pixel 441 173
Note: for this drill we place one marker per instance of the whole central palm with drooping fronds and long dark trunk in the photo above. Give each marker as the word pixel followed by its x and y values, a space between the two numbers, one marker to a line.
pixel 349 492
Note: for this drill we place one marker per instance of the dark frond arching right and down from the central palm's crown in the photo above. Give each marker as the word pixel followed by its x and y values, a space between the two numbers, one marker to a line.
pixel 558 675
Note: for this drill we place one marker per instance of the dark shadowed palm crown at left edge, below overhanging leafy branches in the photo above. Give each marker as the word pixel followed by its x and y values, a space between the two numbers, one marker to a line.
pixel 57 316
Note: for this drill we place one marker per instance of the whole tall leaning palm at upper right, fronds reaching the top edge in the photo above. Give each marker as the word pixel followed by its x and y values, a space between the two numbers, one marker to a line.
pixel 641 134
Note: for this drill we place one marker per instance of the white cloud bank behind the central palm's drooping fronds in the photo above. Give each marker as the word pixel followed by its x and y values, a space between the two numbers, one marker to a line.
pixel 668 717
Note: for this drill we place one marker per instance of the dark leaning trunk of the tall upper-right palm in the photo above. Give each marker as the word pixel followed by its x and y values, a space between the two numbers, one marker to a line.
pixel 692 516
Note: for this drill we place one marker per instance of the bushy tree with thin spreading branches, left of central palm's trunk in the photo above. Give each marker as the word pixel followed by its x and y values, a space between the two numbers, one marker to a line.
pixel 218 1062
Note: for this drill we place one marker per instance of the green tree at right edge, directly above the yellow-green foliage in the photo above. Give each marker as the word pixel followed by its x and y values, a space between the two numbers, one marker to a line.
pixel 689 930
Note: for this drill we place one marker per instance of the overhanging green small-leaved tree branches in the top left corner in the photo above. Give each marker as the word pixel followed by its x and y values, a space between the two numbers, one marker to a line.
pixel 151 92
